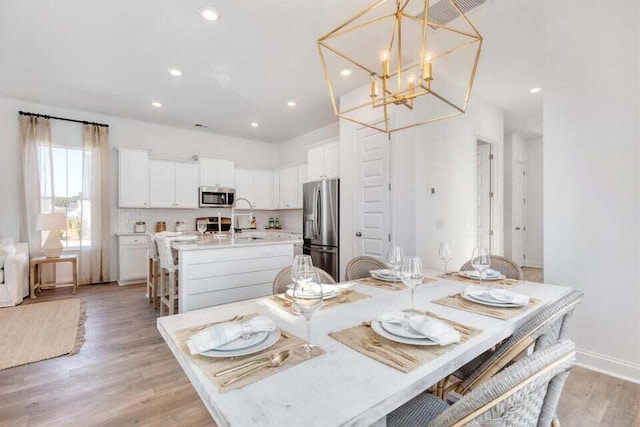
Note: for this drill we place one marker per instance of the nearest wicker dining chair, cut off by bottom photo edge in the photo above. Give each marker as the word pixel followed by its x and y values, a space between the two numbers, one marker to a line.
pixel 525 394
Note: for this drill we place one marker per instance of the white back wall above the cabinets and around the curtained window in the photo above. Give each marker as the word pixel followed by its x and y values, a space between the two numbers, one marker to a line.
pixel 164 141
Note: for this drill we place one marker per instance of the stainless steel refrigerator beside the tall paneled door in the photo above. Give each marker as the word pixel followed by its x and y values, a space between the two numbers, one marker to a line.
pixel 321 224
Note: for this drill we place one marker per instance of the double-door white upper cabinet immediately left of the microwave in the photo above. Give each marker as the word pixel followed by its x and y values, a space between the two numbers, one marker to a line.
pixel 173 184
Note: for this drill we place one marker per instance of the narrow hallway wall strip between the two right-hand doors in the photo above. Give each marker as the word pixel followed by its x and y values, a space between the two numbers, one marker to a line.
pixel 515 151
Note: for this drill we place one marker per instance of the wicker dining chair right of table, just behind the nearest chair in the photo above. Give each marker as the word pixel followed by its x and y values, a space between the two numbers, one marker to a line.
pixel 543 330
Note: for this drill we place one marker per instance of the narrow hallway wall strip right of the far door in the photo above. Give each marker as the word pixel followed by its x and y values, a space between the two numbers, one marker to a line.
pixel 534 244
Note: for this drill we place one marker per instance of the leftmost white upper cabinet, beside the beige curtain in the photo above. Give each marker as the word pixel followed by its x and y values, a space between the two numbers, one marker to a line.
pixel 133 177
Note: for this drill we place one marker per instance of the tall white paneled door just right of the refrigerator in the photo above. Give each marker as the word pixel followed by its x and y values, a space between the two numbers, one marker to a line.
pixel 372 212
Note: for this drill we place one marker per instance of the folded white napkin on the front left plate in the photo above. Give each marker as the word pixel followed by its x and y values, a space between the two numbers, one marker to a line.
pixel 219 335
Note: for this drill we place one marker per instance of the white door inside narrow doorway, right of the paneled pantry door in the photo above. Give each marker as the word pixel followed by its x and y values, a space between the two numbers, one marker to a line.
pixel 483 181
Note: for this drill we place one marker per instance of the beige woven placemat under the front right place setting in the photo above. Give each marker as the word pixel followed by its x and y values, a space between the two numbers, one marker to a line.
pixel 391 353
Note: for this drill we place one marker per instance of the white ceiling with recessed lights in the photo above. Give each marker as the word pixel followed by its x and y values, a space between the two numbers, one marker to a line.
pixel 112 56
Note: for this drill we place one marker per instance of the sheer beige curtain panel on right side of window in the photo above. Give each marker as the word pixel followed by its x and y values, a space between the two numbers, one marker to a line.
pixel 93 261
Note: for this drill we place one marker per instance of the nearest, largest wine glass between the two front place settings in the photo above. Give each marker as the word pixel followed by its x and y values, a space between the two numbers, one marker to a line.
pixel 307 299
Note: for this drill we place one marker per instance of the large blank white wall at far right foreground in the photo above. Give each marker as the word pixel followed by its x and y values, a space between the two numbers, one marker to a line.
pixel 591 174
